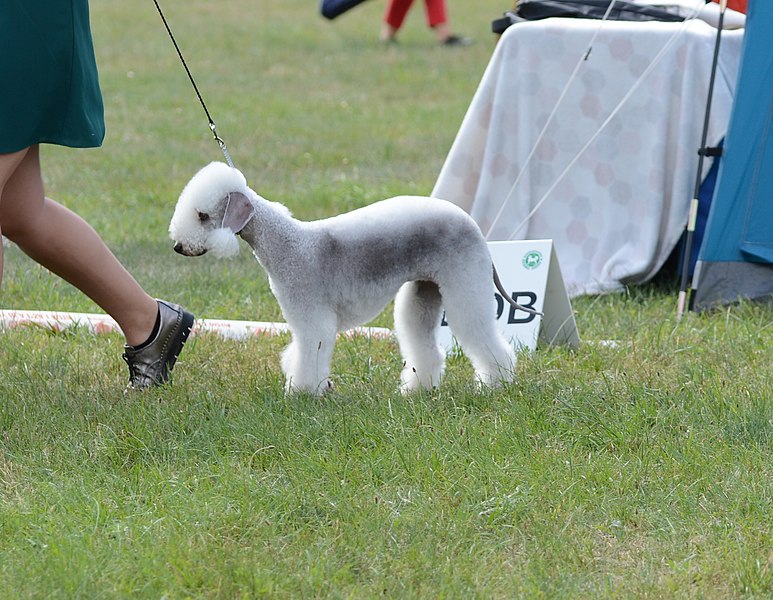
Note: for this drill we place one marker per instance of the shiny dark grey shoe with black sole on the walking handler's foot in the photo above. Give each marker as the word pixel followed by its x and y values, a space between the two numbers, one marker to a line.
pixel 151 364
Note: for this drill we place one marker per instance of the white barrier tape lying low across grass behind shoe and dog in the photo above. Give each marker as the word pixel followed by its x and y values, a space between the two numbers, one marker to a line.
pixel 96 323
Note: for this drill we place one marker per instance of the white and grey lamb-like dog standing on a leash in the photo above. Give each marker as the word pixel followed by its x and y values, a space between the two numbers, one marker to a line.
pixel 337 273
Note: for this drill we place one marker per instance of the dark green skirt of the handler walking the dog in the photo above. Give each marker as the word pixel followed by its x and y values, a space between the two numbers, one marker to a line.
pixel 50 87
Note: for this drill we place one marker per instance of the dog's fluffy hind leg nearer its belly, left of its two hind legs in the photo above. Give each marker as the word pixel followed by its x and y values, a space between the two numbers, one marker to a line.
pixel 417 319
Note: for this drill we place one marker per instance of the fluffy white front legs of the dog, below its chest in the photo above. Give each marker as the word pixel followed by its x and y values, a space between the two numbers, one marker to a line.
pixel 306 361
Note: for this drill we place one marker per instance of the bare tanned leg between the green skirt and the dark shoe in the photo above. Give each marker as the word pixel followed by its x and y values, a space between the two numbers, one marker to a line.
pixel 65 244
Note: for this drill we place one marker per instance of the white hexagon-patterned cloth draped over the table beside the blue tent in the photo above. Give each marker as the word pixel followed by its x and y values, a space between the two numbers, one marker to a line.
pixel 603 151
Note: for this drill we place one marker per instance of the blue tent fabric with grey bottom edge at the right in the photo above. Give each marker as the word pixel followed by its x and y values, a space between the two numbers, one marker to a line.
pixel 736 256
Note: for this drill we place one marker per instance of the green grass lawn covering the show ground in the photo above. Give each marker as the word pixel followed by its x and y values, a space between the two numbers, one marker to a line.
pixel 636 470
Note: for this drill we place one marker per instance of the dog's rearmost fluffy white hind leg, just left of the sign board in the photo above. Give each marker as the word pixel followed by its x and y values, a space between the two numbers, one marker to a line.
pixel 471 318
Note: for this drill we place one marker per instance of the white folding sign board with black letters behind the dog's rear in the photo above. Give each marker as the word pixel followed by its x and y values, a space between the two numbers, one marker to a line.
pixel 529 271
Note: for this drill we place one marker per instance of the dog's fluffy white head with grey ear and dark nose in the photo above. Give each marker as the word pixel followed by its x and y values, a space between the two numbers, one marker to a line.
pixel 213 207
